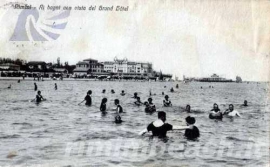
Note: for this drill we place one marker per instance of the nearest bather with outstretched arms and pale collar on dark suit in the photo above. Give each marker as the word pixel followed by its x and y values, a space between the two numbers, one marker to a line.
pixel 159 128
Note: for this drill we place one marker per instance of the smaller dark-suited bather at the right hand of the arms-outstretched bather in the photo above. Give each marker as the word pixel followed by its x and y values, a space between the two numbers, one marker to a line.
pixel 193 132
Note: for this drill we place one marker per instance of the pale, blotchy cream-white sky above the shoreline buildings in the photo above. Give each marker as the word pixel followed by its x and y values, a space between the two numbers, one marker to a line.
pixel 192 38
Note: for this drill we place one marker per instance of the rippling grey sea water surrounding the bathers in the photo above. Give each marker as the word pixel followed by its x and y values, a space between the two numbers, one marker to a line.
pixel 59 132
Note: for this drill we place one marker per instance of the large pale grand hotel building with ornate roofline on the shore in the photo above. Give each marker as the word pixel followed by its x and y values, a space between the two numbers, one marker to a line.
pixel 125 66
